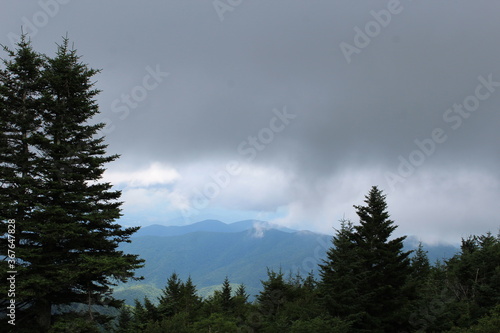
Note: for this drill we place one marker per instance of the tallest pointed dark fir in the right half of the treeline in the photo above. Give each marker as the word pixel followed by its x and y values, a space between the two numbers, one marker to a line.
pixel 385 267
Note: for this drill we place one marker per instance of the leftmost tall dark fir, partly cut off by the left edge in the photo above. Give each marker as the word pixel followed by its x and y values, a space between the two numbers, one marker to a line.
pixel 20 119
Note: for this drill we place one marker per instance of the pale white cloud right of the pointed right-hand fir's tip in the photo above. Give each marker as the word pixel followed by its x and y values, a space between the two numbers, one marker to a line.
pixel 446 206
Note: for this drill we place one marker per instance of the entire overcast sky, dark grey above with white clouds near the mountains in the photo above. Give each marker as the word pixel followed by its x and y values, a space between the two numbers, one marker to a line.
pixel 289 111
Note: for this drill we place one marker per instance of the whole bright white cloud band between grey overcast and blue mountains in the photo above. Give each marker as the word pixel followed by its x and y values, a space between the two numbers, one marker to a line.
pixel 432 204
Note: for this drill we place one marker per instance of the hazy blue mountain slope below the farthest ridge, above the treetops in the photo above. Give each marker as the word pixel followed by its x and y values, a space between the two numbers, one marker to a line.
pixel 209 256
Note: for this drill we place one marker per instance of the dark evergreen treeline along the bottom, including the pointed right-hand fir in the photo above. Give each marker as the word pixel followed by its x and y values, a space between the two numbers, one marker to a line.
pixel 368 283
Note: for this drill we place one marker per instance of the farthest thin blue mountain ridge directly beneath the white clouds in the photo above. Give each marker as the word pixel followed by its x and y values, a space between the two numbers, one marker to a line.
pixel 208 226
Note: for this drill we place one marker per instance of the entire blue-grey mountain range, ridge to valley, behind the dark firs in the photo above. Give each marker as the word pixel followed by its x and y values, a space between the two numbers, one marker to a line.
pixel 210 250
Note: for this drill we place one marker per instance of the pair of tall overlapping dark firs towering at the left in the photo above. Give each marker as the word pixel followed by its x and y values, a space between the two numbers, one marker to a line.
pixel 51 174
